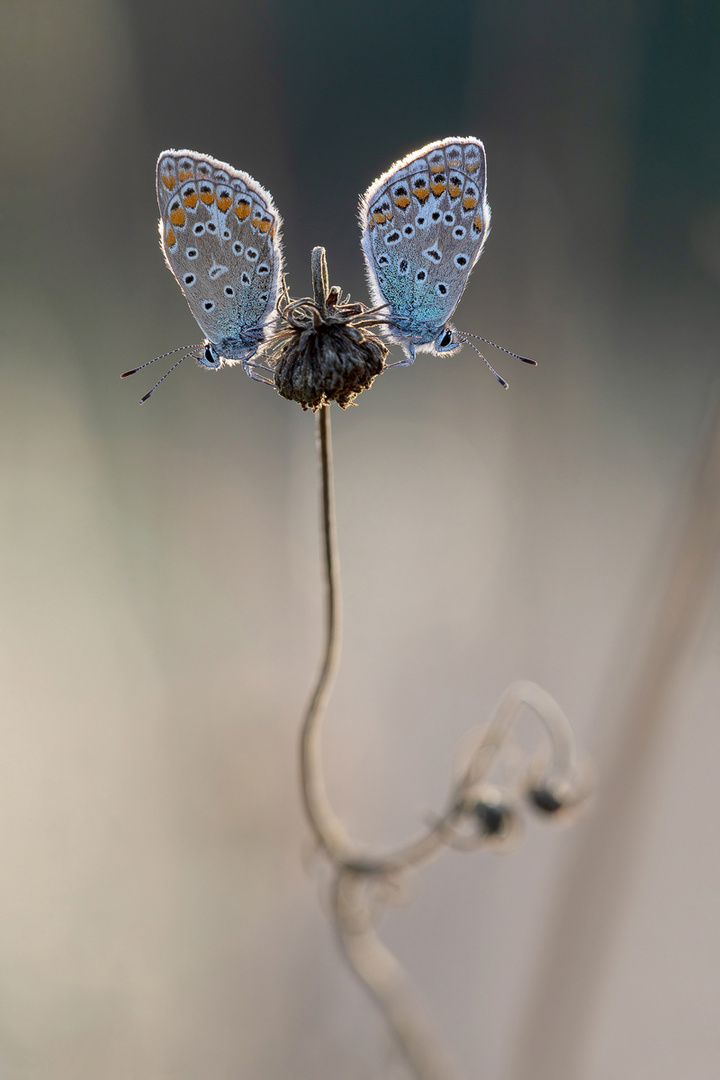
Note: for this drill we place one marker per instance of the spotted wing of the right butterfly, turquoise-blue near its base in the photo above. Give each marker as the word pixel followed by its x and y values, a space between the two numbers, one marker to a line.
pixel 425 223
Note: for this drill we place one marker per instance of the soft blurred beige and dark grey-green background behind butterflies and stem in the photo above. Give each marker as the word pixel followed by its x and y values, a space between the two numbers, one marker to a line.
pixel 161 605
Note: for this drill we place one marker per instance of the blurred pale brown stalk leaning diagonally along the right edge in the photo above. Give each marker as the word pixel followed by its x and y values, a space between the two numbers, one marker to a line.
pixel 593 894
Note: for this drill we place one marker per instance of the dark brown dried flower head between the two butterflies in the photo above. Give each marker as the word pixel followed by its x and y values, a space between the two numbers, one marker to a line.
pixel 324 350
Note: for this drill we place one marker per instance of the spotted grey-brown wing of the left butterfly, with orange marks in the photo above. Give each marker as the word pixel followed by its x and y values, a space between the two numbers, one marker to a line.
pixel 220 232
